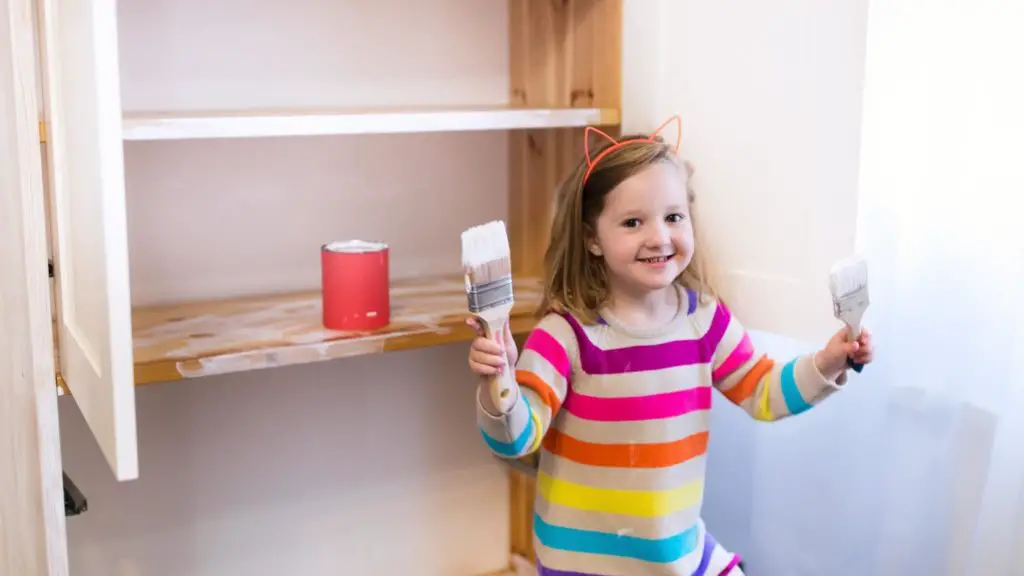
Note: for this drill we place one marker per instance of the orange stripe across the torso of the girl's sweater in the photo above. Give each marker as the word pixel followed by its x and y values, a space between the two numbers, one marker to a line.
pixel 626 456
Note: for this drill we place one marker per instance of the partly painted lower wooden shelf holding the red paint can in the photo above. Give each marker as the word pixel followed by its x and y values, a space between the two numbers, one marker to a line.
pixel 196 340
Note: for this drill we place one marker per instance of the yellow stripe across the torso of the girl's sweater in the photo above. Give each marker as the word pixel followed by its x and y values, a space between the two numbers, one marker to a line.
pixel 629 503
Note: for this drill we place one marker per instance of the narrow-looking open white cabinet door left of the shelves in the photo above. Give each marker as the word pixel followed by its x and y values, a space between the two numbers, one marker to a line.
pixel 87 181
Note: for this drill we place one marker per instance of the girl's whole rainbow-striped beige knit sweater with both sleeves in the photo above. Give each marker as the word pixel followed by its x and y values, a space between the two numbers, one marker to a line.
pixel 620 418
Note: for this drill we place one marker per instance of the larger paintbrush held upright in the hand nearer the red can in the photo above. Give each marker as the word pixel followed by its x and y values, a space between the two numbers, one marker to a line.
pixel 488 264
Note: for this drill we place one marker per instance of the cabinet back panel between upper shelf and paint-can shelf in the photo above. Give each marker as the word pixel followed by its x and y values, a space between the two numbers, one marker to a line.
pixel 212 219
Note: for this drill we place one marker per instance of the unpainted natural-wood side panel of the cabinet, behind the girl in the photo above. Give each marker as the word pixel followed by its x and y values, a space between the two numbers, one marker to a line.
pixel 562 55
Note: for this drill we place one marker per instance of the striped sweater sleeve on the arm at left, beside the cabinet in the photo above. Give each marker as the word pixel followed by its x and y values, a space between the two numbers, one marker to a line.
pixel 544 373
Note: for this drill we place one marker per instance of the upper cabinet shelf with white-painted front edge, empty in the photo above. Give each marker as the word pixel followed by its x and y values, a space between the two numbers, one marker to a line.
pixel 244 125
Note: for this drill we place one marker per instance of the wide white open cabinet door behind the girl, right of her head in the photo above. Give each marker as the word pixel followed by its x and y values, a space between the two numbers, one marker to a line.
pixel 771 99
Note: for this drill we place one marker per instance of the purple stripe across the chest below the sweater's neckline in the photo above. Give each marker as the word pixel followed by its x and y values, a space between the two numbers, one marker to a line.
pixel 651 357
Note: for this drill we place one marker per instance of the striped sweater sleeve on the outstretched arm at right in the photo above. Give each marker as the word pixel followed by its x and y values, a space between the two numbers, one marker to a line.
pixel 765 389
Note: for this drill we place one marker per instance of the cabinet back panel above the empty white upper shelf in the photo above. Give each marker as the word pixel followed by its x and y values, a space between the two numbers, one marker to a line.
pixel 211 55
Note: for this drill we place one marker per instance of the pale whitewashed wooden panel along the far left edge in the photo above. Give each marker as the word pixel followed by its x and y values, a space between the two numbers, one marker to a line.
pixel 32 523
